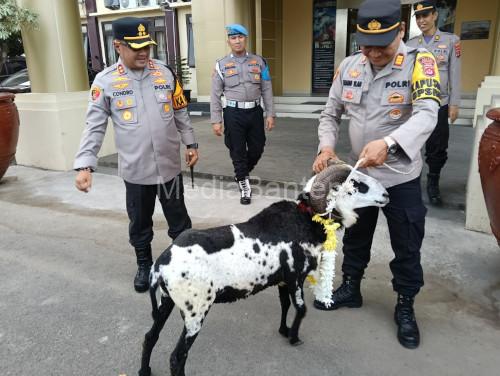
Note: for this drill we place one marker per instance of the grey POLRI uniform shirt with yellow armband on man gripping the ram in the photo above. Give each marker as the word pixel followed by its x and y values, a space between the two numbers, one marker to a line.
pixel 401 101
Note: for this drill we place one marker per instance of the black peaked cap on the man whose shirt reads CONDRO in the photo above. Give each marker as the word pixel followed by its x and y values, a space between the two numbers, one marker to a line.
pixel 133 31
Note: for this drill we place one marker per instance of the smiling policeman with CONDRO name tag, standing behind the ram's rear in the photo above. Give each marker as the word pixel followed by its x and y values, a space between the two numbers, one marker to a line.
pixel 147 106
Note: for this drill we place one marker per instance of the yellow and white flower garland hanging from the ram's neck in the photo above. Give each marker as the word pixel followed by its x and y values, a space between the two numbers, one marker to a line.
pixel 323 288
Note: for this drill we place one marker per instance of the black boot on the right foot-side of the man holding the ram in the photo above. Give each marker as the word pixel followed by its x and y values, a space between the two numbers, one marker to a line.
pixel 404 315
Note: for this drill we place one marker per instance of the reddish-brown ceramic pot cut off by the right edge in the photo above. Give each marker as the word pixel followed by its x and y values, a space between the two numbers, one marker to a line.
pixel 489 169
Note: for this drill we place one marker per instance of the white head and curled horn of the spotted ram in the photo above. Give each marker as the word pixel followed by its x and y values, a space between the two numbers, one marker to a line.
pixel 342 189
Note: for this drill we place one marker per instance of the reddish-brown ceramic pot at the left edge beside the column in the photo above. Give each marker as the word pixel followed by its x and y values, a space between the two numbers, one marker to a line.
pixel 9 130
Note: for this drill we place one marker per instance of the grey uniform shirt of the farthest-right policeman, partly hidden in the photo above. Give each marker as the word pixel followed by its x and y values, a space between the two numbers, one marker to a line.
pixel 447 50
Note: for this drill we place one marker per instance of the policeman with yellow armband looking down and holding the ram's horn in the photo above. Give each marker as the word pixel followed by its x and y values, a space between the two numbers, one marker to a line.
pixel 391 94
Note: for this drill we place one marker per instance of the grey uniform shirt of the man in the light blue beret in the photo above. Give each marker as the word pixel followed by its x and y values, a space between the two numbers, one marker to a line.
pixel 240 79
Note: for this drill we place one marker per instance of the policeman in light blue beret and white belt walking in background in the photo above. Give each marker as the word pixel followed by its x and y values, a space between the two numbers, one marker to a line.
pixel 243 78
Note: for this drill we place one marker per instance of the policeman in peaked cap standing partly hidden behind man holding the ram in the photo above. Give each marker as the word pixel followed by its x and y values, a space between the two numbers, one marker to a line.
pixel 446 49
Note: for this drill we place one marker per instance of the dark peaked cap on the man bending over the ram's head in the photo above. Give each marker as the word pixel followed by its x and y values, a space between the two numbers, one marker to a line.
pixel 378 22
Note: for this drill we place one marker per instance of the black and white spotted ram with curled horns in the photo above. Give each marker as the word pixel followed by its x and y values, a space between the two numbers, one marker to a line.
pixel 279 246
